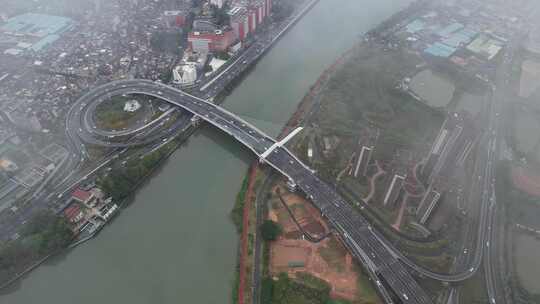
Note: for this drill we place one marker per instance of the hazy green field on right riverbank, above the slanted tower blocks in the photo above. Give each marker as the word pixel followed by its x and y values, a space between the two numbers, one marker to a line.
pixel 363 95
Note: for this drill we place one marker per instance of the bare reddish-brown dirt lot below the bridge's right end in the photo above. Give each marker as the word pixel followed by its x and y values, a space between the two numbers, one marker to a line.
pixel 327 260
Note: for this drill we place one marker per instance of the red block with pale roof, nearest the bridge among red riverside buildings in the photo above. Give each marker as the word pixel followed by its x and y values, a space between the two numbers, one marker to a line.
pixel 216 41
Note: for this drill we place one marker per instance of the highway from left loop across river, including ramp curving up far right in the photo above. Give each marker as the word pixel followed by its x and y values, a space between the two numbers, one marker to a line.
pixel 366 244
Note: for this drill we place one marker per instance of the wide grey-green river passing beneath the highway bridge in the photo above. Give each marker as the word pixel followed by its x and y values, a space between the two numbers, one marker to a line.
pixel 175 243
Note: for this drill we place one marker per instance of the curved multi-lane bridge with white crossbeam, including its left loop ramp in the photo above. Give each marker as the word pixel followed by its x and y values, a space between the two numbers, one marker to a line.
pixel 384 264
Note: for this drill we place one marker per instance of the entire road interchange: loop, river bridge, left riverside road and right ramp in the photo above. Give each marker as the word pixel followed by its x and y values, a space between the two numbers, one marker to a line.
pixel 386 265
